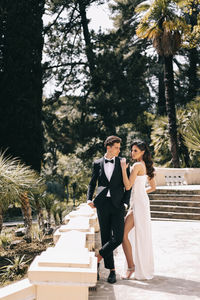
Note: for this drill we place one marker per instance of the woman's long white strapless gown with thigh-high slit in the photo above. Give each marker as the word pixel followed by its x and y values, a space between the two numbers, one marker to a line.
pixel 140 236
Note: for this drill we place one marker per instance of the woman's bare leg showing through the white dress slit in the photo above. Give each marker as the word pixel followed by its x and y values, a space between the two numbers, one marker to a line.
pixel 129 224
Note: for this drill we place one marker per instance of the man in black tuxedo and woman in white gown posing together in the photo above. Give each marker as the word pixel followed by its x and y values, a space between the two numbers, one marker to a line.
pixel 114 189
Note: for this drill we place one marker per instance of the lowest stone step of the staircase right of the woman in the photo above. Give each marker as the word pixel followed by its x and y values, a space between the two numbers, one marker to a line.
pixel 175 215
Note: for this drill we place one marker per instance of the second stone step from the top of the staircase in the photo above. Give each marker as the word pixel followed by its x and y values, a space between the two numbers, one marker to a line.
pixel 180 197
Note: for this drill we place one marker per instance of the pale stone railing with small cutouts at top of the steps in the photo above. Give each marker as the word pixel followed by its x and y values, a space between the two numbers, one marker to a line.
pixel 177 176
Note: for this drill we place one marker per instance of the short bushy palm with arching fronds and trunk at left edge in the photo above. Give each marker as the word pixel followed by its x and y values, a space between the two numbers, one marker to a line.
pixel 16 181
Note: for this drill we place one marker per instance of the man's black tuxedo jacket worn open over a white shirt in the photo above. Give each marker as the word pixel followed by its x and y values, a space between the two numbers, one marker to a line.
pixel 115 185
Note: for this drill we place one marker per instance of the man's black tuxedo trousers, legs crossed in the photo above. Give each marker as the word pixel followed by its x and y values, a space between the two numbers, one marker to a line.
pixel 111 222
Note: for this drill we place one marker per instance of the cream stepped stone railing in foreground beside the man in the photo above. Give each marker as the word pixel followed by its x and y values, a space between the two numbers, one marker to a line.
pixel 67 270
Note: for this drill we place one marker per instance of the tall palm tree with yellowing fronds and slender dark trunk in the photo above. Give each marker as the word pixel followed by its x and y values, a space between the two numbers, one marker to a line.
pixel 164 27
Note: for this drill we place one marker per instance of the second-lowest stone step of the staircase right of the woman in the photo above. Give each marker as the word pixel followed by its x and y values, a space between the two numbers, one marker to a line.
pixel 171 208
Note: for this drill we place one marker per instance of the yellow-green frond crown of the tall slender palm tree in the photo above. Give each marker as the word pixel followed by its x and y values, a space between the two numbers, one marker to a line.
pixel 162 24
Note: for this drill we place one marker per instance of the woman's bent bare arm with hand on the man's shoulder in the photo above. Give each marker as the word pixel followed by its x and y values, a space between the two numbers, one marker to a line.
pixel 128 182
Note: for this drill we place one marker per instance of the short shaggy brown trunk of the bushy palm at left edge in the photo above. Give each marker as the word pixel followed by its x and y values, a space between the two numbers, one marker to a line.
pixel 26 208
